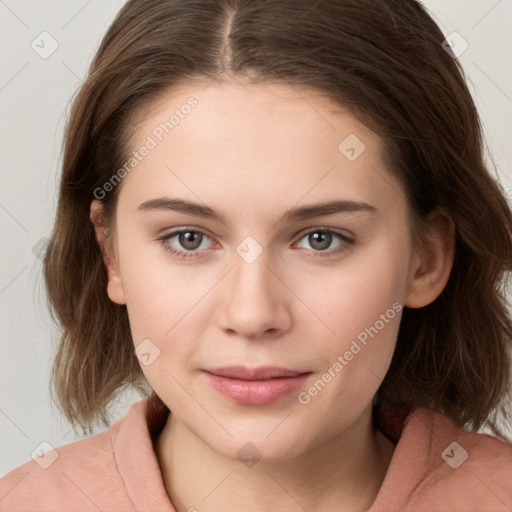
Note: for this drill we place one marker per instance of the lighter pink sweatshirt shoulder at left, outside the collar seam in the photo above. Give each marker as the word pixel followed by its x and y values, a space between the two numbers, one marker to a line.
pixel 77 476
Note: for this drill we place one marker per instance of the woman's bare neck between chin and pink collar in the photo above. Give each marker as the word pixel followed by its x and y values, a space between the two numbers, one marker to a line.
pixel 348 468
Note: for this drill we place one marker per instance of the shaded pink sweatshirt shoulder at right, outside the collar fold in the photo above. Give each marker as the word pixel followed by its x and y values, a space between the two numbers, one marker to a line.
pixel 465 470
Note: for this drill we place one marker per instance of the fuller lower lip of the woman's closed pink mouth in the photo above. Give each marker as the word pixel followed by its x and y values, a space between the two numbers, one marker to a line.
pixel 256 392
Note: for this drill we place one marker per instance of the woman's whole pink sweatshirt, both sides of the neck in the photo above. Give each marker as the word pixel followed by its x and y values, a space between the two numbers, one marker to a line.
pixel 436 466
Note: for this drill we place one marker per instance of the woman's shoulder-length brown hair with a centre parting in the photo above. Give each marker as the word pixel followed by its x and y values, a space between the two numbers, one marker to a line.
pixel 381 59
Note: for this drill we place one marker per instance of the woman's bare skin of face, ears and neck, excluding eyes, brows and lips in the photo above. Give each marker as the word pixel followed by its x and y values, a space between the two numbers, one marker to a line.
pixel 252 152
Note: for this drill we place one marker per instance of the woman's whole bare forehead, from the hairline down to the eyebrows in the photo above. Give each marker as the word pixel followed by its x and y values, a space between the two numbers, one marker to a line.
pixel 258 142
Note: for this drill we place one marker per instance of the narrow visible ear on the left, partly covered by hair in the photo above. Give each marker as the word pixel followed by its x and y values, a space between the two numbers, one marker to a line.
pixel 115 288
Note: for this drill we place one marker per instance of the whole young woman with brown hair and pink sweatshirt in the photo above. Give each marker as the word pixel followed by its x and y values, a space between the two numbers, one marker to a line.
pixel 276 221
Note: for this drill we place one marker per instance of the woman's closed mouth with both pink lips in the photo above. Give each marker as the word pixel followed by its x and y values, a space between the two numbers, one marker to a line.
pixel 255 386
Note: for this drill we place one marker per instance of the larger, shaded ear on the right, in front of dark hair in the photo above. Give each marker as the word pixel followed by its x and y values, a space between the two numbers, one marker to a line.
pixel 433 261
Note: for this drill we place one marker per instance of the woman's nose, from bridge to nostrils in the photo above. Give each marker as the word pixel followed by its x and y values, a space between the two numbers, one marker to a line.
pixel 256 302
